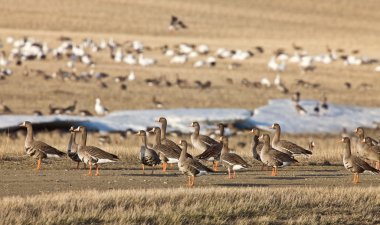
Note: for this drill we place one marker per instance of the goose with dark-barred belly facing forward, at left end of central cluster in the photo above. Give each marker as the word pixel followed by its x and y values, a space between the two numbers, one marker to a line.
pixel 147 155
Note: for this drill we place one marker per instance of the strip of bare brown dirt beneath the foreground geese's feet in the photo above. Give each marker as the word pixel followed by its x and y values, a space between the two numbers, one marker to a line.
pixel 21 178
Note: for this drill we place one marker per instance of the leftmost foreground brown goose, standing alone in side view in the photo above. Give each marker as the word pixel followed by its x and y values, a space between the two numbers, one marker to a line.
pixel 38 149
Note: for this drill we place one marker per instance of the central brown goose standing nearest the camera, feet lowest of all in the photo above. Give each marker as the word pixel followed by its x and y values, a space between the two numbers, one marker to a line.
pixel 188 166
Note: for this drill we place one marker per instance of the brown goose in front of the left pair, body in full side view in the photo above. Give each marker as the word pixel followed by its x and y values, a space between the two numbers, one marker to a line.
pixel 92 155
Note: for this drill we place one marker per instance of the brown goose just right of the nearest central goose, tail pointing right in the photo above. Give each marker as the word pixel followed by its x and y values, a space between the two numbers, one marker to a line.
pixel 231 160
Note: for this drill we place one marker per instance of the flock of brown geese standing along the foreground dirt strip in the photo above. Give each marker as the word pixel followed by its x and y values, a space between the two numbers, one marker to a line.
pixel 273 151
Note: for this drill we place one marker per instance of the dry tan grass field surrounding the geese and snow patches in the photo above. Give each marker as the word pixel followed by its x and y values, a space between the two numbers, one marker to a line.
pixel 316 191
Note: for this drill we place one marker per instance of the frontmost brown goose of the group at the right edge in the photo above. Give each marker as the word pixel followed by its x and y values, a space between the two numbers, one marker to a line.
pixel 354 164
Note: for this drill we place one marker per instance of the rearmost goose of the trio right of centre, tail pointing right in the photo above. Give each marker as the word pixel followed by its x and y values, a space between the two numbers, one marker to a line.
pixel 286 146
